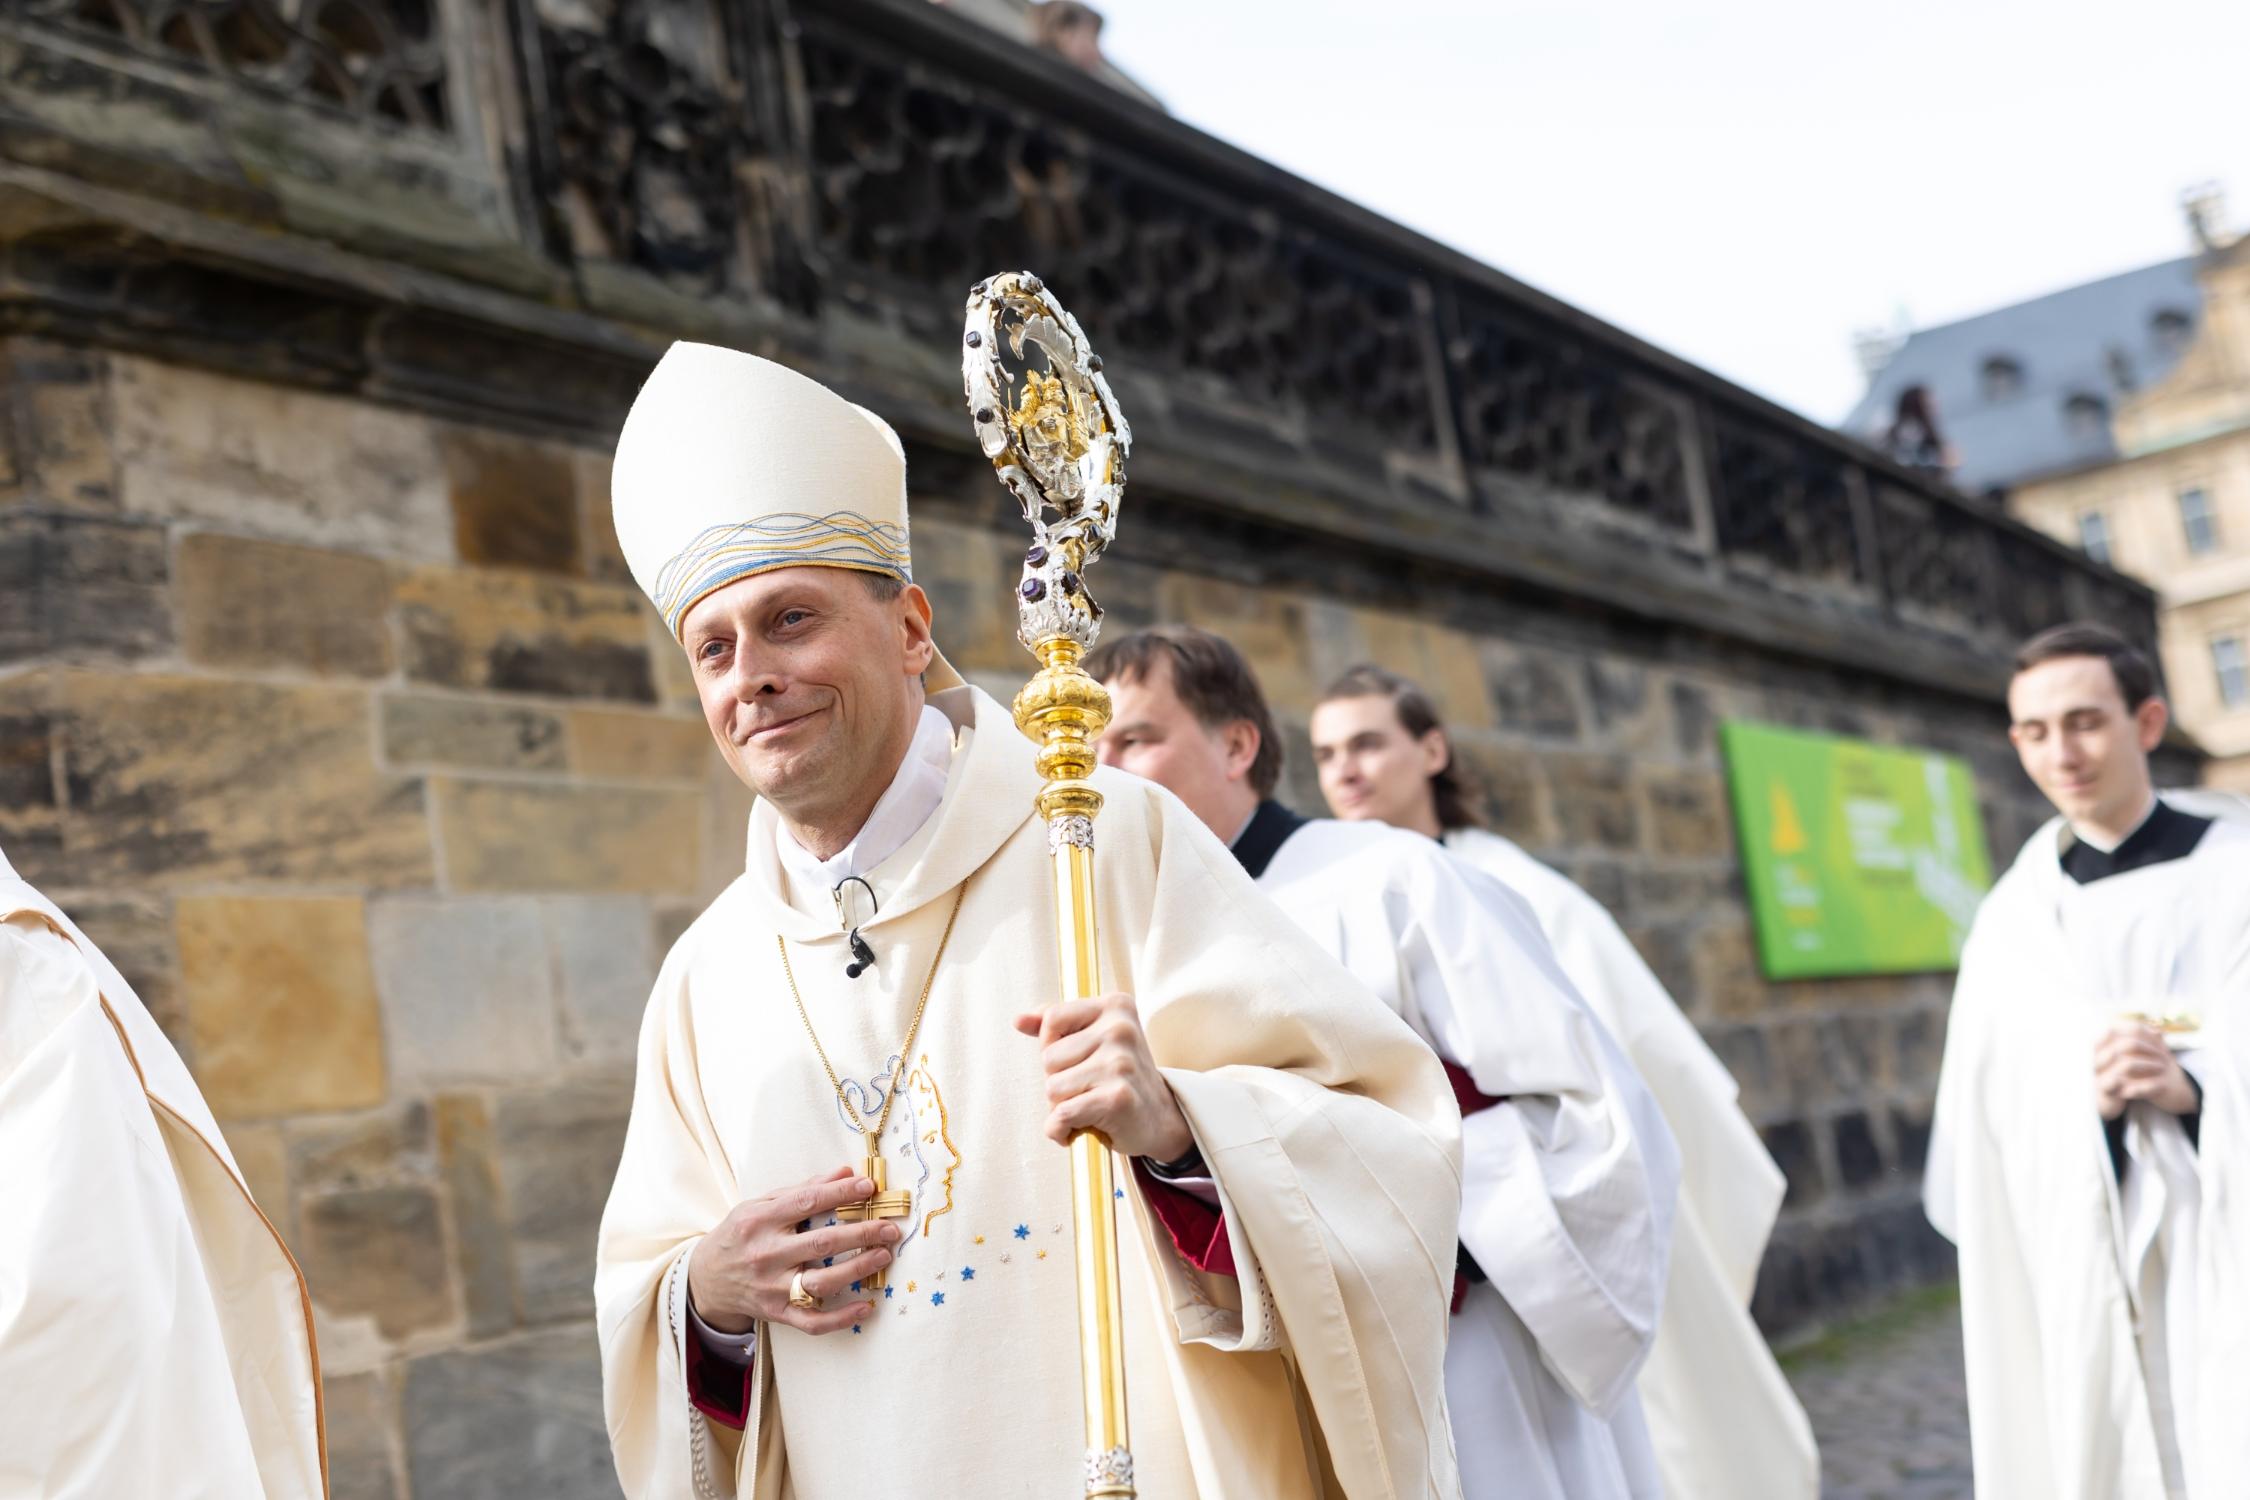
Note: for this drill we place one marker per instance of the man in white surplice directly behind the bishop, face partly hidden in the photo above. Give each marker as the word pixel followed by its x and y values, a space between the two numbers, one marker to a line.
pixel 1569 1171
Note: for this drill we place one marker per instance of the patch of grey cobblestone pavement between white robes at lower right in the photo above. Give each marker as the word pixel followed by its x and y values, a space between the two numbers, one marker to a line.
pixel 1889 1404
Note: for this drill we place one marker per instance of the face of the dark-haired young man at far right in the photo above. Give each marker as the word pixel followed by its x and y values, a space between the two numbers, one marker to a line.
pixel 2080 743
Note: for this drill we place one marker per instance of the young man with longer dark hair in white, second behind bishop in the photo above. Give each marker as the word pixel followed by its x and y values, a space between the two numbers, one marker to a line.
pixel 1720 1411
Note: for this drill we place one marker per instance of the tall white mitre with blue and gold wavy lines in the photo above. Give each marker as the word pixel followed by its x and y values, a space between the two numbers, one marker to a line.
pixel 735 467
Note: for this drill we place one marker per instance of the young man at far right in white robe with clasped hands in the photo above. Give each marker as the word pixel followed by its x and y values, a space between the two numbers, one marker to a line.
pixel 2094 1114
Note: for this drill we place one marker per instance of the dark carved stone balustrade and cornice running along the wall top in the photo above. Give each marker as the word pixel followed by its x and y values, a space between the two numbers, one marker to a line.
pixel 822 183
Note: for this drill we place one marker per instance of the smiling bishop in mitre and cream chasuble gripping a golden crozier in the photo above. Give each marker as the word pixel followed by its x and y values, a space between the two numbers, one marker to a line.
pixel 881 982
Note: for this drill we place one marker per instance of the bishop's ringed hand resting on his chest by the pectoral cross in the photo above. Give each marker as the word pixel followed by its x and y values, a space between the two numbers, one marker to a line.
pixel 741 1272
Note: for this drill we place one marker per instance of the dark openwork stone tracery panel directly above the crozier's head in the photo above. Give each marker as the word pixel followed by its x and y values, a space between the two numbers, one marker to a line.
pixel 924 183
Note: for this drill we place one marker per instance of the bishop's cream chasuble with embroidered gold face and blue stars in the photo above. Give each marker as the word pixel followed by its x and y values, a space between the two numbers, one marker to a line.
pixel 1324 1121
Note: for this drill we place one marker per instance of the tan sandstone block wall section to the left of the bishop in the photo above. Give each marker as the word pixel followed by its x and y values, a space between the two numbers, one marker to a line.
pixel 348 739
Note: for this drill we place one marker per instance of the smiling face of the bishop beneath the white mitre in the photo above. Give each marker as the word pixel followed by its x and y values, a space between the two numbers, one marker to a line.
pixel 811 687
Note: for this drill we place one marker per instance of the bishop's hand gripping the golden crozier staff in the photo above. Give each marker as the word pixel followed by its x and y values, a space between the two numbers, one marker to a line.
pixel 1104 1078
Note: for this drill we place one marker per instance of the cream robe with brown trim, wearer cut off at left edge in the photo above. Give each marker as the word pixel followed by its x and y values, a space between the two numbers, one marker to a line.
pixel 154 1332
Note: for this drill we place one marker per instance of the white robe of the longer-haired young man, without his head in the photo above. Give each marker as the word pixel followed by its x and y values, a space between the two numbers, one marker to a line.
pixel 1720 1409
